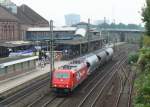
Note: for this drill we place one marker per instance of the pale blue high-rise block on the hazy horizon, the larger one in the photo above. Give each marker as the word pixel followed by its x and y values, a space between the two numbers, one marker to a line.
pixel 72 19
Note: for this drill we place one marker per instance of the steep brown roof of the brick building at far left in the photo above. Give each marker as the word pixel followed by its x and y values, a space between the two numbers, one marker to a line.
pixel 25 15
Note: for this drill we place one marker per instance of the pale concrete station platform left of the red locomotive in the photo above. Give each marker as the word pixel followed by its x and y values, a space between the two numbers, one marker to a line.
pixel 11 83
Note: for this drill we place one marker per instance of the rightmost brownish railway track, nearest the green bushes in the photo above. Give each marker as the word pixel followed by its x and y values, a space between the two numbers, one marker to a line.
pixel 122 98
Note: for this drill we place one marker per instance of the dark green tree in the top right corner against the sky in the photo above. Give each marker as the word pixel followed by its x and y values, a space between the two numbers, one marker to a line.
pixel 146 16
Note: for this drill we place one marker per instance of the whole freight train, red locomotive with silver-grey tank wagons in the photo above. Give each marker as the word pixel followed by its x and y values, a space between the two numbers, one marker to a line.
pixel 68 77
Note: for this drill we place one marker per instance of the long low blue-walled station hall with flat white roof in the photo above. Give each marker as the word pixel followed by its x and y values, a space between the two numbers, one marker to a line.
pixel 43 33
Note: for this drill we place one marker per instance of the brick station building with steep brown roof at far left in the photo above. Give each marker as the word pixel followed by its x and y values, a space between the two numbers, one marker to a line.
pixel 14 21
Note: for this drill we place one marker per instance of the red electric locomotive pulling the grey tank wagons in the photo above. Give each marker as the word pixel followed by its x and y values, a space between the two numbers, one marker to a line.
pixel 69 76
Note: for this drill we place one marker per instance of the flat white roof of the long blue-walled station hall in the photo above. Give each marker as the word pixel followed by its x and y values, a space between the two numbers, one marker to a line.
pixel 54 29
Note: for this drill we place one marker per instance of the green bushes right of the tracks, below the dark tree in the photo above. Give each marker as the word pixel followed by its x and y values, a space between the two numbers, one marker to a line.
pixel 142 83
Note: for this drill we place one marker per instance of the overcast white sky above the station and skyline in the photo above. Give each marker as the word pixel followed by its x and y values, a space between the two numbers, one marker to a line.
pixel 125 11
